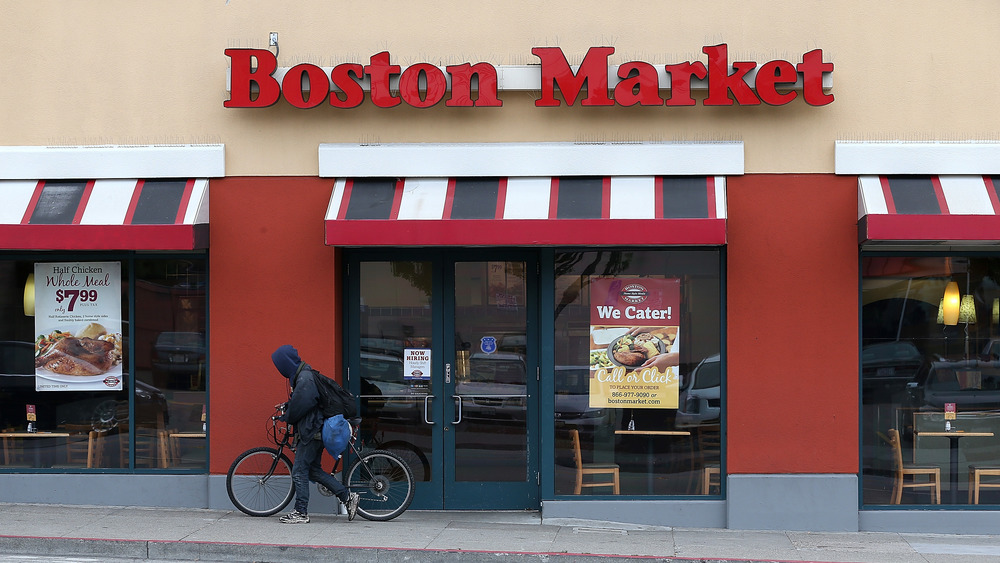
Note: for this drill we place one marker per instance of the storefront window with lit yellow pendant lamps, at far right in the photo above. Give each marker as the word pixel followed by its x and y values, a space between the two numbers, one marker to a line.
pixel 930 374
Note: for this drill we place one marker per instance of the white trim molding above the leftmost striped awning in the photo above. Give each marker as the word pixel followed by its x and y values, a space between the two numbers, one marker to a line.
pixel 112 161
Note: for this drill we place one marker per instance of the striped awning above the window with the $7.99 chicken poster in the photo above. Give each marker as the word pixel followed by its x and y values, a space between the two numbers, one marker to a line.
pixel 161 214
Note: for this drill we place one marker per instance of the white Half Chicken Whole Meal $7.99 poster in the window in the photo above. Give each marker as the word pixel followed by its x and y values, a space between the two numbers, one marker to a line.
pixel 78 326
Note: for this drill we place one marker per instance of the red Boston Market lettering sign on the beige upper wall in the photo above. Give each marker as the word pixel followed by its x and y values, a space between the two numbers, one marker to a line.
pixel 256 81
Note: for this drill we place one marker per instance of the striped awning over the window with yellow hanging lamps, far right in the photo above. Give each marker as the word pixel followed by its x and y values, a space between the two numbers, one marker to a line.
pixel 929 209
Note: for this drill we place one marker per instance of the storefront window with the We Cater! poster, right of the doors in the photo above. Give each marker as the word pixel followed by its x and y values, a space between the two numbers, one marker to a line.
pixel 638 372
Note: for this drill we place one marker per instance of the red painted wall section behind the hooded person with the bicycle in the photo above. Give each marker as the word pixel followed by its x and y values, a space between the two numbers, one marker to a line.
pixel 271 283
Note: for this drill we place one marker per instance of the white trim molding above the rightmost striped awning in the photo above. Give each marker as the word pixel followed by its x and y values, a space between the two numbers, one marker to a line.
pixel 912 157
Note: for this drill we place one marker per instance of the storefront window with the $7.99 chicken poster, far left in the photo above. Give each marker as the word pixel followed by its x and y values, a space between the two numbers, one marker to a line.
pixel 106 372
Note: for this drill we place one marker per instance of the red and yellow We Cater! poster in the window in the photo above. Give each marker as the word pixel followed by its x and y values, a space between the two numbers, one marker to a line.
pixel 634 325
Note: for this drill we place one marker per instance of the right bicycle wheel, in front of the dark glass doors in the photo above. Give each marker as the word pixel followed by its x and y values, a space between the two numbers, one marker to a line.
pixel 384 483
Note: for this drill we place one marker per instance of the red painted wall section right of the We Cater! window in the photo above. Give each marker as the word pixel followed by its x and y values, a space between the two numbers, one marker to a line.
pixel 792 320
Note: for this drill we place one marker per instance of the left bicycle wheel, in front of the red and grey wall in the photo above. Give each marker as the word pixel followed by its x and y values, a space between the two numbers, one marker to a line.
pixel 250 492
